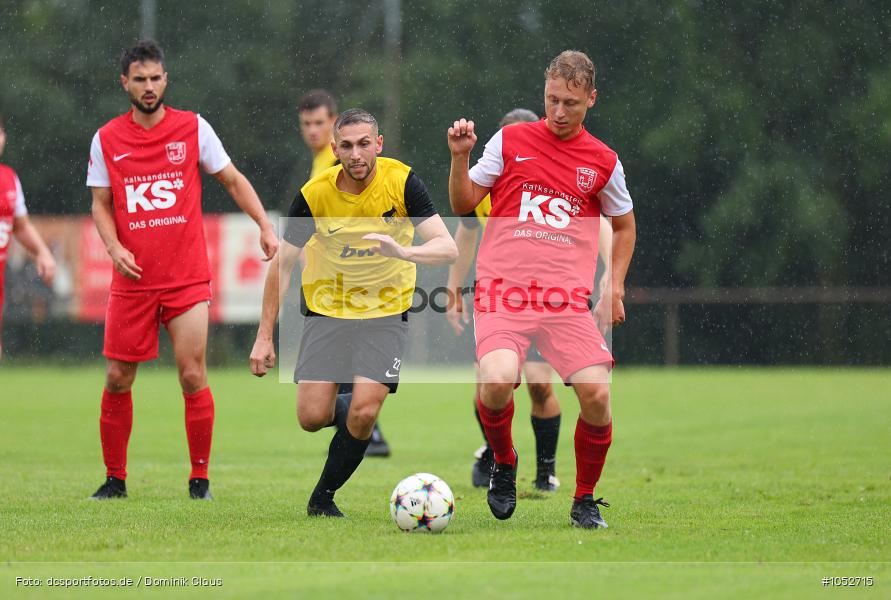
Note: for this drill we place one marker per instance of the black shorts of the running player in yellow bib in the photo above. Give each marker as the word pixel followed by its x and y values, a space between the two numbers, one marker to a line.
pixel 338 350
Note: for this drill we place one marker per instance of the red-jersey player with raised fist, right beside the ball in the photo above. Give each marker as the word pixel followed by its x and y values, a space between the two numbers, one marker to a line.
pixel 550 181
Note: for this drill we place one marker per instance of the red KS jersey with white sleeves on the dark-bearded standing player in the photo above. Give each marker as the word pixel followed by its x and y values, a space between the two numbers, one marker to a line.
pixel 156 194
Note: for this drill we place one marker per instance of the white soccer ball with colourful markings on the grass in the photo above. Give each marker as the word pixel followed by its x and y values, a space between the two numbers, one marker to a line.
pixel 422 502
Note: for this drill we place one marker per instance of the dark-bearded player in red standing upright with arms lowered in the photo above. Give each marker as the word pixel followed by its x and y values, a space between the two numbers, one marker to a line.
pixel 146 184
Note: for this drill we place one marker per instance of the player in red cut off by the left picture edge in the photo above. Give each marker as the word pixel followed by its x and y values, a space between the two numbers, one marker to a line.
pixel 14 221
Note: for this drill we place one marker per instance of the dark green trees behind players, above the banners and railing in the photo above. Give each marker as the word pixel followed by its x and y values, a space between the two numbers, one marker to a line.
pixel 756 136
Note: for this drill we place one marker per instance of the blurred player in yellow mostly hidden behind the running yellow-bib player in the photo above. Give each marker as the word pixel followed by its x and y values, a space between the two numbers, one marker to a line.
pixel 317 111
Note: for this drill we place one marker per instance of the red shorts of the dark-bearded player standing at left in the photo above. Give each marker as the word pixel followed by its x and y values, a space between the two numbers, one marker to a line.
pixel 133 318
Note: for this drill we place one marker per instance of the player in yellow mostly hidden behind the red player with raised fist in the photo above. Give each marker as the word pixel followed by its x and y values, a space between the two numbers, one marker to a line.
pixel 545 407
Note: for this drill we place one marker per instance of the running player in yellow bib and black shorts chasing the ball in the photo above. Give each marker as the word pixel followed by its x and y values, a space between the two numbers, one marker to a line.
pixel 357 290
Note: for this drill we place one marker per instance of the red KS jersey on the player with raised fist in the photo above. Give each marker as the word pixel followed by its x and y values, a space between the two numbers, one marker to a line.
pixel 547 197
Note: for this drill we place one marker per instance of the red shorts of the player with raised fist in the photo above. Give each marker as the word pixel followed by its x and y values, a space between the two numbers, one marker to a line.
pixel 569 341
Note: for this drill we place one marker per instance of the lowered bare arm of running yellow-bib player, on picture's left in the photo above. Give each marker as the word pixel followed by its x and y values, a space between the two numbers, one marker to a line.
pixel 278 278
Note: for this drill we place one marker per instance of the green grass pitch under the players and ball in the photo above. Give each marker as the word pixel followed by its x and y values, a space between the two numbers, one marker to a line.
pixel 723 483
